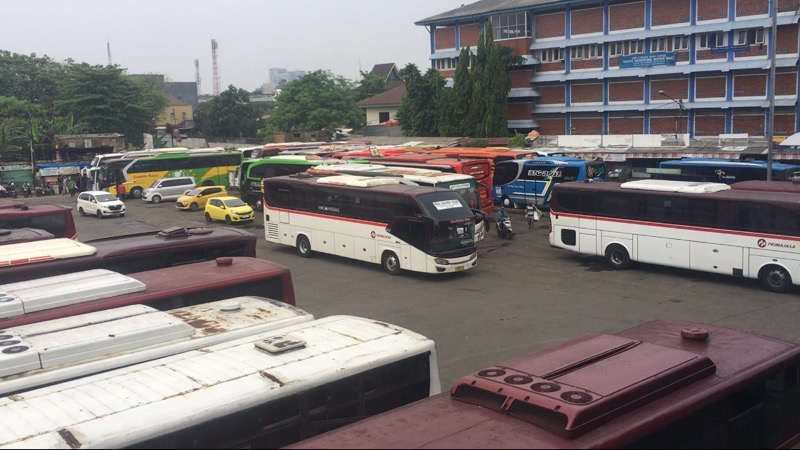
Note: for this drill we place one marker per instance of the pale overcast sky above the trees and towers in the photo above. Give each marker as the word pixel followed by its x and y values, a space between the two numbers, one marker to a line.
pixel 166 36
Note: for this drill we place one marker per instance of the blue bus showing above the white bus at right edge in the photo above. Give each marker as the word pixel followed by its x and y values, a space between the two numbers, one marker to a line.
pixel 724 170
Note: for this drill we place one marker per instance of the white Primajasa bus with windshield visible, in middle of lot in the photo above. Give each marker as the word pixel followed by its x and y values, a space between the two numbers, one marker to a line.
pixel 372 219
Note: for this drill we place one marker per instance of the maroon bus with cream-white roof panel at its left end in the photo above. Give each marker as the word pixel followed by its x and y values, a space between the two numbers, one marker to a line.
pixel 124 254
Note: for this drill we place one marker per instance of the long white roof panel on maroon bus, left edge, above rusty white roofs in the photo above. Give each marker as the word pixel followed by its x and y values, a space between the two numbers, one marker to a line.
pixel 40 294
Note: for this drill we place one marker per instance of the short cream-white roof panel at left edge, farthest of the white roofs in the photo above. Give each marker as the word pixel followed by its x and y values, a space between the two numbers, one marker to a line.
pixel 39 251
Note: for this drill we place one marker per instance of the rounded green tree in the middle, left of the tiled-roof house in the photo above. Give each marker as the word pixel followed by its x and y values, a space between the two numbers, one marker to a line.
pixel 318 101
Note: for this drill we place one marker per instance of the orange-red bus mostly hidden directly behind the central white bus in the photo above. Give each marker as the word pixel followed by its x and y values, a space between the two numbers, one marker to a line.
pixel 478 168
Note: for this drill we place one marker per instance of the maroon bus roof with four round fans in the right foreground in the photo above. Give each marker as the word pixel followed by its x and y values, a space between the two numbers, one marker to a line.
pixel 663 384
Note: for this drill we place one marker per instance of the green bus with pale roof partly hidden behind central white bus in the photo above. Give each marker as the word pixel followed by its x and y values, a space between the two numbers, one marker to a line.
pixel 252 171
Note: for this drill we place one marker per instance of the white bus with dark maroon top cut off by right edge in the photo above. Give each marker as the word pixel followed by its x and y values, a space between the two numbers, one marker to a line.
pixel 691 225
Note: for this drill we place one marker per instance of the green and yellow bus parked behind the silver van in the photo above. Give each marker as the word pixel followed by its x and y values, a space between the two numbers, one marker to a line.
pixel 207 167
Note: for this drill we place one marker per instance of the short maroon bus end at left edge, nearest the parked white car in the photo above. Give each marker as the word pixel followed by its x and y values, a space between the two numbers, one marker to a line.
pixel 54 219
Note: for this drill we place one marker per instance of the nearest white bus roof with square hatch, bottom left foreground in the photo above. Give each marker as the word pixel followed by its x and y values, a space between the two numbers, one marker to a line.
pixel 123 406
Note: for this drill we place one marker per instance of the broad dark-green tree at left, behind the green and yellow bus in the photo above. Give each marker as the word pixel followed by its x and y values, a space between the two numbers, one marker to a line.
pixel 107 101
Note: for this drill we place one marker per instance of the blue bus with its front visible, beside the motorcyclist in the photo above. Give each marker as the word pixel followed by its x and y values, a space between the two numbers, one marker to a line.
pixel 517 182
